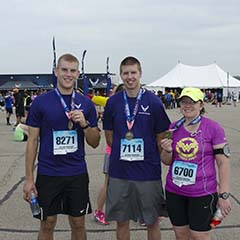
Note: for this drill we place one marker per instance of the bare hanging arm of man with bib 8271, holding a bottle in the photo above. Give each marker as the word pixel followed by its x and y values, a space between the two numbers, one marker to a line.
pixel 30 157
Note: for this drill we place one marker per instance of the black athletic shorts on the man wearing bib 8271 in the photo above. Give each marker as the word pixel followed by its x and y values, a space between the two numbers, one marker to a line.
pixel 63 195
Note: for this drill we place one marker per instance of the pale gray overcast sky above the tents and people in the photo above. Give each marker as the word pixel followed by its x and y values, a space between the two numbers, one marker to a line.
pixel 159 33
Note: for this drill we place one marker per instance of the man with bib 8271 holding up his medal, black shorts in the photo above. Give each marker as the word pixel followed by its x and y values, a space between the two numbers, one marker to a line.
pixel 61 119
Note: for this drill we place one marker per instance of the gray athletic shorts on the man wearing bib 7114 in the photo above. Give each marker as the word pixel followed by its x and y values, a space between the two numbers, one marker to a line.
pixel 135 200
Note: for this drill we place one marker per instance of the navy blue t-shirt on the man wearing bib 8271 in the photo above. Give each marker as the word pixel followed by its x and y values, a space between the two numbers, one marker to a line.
pixel 47 113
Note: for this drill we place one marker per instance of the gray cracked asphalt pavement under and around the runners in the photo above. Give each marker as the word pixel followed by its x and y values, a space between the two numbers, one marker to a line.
pixel 17 223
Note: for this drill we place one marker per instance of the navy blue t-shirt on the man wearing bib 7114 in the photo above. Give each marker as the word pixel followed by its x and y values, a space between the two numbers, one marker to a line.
pixel 150 120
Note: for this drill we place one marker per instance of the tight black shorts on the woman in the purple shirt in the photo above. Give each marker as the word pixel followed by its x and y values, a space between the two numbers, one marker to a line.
pixel 193 211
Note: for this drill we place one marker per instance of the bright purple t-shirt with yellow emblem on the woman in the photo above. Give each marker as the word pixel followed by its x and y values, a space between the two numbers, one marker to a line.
pixel 196 149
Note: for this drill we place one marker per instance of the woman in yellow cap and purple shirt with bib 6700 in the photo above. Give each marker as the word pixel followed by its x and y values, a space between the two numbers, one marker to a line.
pixel 191 149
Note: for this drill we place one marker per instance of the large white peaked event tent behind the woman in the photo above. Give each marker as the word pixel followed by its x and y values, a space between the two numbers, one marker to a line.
pixel 204 77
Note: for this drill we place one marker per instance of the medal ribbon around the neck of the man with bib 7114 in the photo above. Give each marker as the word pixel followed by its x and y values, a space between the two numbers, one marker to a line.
pixel 130 119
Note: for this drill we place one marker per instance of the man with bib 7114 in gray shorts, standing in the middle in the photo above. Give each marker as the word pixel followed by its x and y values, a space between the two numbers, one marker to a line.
pixel 134 122
